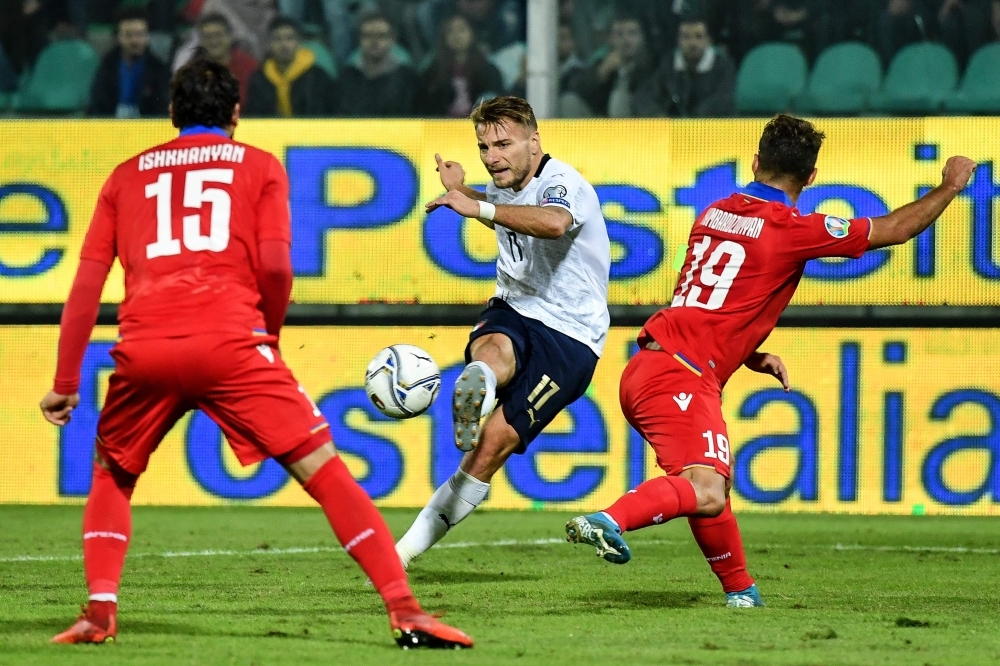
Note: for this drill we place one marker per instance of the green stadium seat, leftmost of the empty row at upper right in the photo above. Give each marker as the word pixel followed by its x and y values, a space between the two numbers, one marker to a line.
pixel 771 76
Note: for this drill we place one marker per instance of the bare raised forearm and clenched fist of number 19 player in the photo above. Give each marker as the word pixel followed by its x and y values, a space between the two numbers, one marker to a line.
pixel 907 222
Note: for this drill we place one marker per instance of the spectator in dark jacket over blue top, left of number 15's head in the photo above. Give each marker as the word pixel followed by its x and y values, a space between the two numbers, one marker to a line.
pixel 130 82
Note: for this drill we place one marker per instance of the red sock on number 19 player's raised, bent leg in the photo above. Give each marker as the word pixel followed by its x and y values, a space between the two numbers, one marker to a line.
pixel 654 502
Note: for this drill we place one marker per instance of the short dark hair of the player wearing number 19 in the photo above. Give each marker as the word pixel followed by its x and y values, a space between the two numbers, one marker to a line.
pixel 789 147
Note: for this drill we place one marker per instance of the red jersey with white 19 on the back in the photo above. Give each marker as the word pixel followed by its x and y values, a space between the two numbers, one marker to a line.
pixel 744 260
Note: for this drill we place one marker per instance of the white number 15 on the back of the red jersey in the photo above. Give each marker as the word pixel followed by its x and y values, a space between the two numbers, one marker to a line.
pixel 195 196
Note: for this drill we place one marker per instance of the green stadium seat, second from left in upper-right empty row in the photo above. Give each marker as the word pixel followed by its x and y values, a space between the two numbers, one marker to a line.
pixel 842 81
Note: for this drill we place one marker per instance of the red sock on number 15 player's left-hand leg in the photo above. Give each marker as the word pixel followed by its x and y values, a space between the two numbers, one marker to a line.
pixel 107 529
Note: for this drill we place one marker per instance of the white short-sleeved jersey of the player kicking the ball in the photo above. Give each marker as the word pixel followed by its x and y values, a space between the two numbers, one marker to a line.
pixel 561 282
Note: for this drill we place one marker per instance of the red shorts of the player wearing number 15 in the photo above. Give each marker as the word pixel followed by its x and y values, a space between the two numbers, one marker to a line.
pixel 242 384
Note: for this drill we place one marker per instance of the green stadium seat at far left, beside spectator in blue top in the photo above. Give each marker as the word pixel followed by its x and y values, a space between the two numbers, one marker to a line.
pixel 61 79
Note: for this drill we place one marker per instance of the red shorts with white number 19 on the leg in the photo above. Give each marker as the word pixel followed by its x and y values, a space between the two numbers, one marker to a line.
pixel 677 411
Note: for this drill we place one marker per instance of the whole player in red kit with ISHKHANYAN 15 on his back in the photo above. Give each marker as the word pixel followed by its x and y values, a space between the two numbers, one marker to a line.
pixel 201 227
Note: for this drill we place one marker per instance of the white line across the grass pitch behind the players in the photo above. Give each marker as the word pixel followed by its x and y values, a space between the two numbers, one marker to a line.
pixel 503 544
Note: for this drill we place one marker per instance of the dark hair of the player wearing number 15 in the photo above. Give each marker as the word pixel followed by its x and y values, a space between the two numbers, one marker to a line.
pixel 204 93
